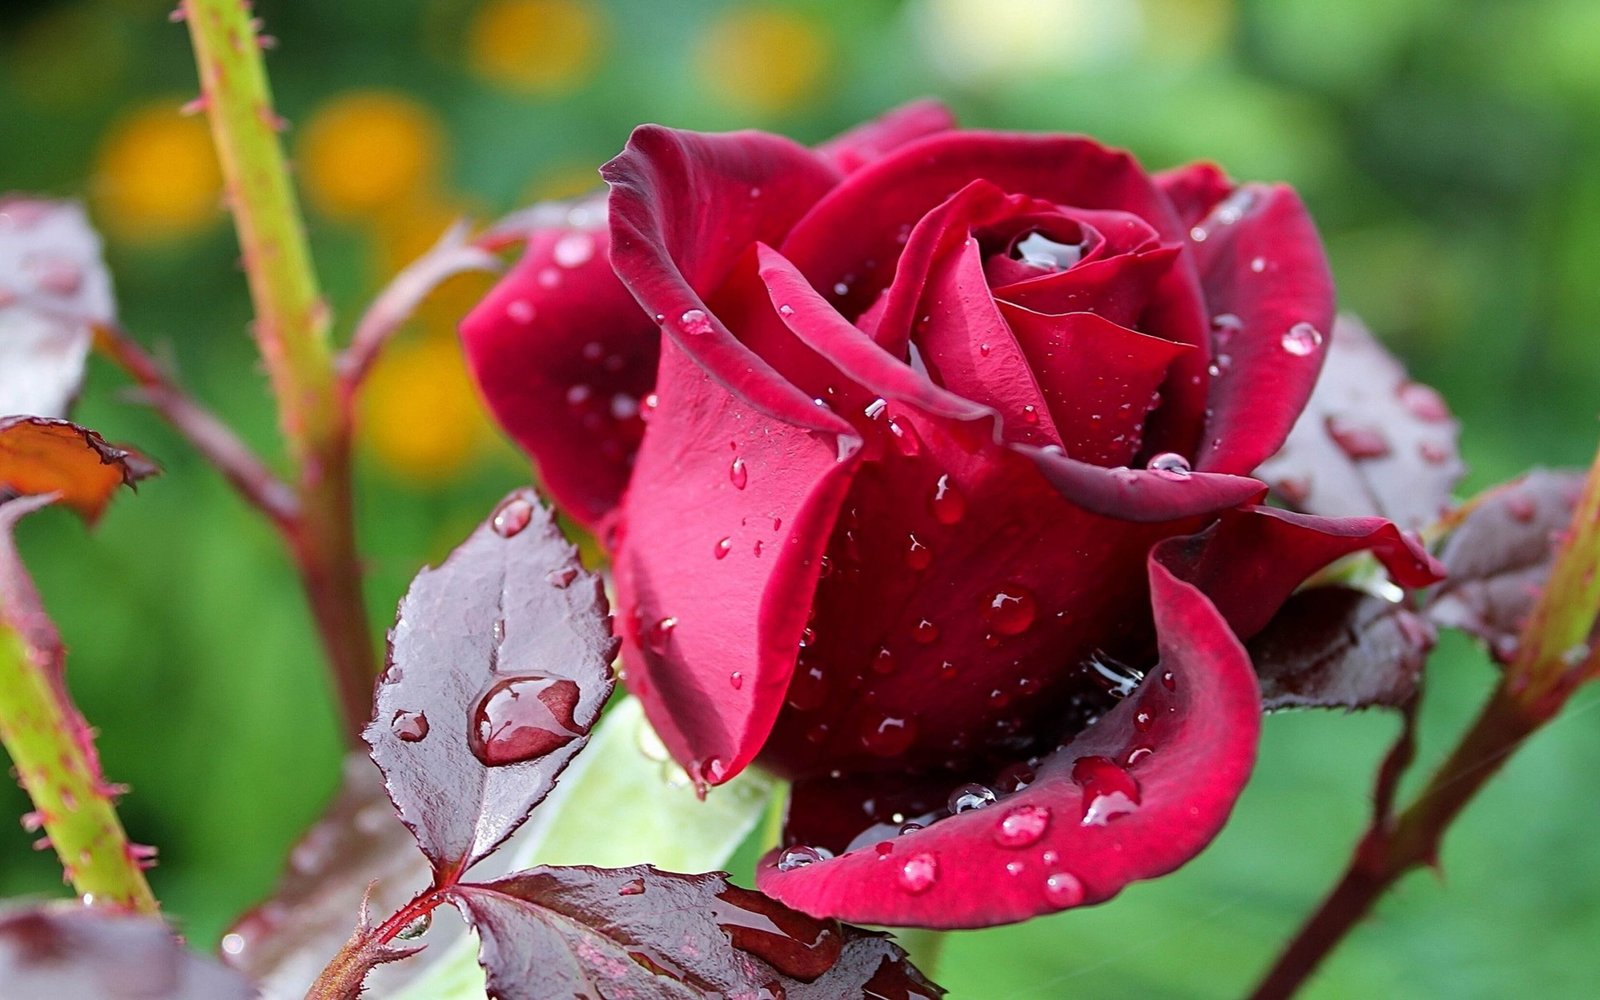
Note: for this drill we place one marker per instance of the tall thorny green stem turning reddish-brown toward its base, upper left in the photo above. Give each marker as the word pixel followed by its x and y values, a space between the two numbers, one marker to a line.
pixel 292 334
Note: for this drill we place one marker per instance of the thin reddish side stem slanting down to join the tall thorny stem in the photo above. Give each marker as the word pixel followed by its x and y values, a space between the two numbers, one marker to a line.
pixel 202 430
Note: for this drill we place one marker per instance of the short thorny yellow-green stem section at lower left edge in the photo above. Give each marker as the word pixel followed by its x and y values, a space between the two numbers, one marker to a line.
pixel 71 799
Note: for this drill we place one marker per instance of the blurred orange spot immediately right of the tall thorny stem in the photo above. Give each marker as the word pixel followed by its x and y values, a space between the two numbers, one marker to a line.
pixel 366 151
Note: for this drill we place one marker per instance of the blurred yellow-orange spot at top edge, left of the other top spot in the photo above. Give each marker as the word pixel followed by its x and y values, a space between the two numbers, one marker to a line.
pixel 534 46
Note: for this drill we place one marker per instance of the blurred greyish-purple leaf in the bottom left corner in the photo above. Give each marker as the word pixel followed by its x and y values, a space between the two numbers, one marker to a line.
pixel 60 953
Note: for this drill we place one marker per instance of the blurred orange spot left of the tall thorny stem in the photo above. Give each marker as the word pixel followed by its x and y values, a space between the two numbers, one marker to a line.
pixel 156 175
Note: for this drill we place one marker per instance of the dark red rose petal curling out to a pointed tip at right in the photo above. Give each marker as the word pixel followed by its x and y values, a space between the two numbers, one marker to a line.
pixel 1255 558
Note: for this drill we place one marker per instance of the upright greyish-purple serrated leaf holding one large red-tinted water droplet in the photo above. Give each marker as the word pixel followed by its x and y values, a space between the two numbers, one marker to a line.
pixel 500 662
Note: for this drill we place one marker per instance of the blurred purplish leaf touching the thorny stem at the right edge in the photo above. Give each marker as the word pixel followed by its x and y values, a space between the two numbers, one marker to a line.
pixel 1500 558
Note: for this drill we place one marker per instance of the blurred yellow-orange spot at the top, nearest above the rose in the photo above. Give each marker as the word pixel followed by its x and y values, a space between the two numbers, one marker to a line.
pixel 762 58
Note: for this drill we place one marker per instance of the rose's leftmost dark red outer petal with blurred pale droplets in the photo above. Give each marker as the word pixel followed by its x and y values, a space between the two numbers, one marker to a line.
pixel 564 354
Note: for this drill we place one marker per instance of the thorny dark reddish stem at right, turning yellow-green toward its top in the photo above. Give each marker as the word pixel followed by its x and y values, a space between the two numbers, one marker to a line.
pixel 1554 660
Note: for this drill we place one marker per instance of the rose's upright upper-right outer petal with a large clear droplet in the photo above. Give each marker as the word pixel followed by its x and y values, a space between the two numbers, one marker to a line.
pixel 1266 282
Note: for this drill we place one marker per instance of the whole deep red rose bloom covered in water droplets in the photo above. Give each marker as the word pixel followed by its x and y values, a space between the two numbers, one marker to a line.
pixel 924 463
